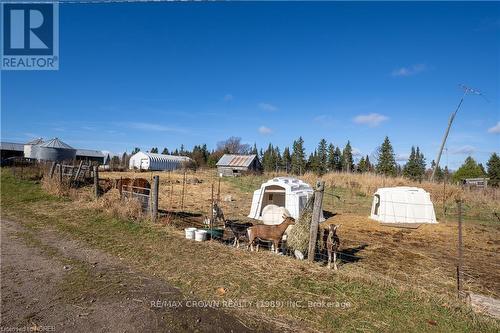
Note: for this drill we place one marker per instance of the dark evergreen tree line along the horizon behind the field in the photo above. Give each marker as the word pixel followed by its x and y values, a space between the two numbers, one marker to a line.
pixel 327 157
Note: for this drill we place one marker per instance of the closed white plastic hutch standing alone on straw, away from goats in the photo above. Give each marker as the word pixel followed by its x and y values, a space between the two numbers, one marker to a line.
pixel 402 205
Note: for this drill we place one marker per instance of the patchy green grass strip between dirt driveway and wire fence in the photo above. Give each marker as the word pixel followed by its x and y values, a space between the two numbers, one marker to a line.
pixel 203 267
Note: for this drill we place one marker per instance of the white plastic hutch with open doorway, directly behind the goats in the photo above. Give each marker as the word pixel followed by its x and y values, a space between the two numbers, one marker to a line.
pixel 287 192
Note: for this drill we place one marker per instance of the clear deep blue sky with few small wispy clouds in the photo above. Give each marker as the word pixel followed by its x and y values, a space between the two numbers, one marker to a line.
pixel 166 74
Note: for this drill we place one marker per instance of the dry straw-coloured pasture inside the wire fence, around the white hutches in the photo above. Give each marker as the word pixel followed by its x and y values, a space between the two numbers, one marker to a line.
pixel 424 257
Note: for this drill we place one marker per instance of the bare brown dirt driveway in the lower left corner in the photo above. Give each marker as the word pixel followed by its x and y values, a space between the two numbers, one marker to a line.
pixel 52 283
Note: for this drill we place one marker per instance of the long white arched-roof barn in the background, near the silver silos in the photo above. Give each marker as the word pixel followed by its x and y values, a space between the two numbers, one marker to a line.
pixel 157 162
